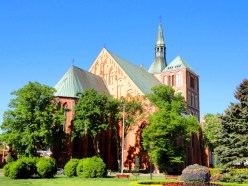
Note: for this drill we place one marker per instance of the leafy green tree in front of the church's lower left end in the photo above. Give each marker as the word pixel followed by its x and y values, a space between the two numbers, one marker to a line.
pixel 91 116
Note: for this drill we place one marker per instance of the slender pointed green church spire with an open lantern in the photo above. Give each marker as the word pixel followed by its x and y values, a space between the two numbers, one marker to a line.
pixel 159 63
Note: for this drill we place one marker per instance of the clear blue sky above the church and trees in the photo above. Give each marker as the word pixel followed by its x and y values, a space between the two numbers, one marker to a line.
pixel 40 39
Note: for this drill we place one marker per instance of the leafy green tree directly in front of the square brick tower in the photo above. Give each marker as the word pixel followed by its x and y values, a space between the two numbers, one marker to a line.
pixel 169 130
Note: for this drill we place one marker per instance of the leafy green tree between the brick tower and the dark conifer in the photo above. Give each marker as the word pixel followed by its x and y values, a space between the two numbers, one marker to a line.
pixel 211 127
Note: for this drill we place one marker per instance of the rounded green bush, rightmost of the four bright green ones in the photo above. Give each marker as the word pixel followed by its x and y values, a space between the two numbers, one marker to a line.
pixel 94 168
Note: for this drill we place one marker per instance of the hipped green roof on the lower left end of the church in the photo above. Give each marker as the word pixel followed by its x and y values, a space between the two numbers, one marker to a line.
pixel 77 80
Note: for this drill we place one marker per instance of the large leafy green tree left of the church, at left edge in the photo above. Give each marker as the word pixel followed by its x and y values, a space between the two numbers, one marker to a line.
pixel 32 120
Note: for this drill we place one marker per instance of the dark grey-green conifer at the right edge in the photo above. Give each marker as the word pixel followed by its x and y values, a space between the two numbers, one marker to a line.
pixel 232 139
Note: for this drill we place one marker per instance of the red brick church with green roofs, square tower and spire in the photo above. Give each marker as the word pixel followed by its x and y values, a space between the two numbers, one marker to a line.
pixel 116 76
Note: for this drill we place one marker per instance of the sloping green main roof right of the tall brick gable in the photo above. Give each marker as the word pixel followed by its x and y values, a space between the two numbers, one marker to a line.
pixel 139 75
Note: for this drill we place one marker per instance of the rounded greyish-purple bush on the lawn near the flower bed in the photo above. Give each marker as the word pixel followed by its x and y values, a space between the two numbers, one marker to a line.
pixel 196 174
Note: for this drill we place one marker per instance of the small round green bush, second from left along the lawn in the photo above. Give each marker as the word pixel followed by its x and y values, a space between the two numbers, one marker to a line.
pixel 46 167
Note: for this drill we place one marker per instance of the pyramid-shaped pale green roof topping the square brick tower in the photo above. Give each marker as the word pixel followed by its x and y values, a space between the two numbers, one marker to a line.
pixel 178 63
